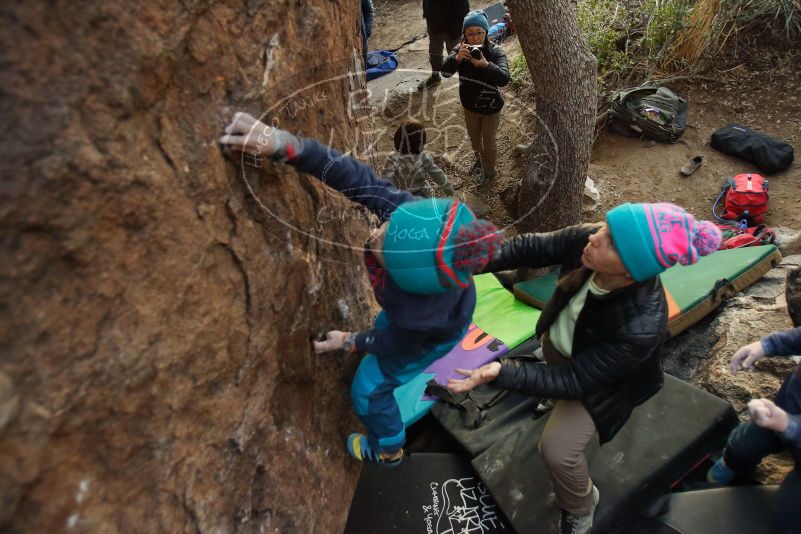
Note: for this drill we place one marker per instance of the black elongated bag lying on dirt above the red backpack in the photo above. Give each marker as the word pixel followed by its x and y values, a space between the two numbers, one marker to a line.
pixel 767 153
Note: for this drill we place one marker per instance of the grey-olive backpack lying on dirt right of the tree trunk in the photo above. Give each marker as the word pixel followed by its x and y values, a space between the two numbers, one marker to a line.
pixel 655 113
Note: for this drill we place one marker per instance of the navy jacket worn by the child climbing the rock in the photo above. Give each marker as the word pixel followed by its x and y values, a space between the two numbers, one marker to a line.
pixel 416 322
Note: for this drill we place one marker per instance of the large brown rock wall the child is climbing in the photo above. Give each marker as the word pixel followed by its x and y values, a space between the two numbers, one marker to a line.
pixel 156 371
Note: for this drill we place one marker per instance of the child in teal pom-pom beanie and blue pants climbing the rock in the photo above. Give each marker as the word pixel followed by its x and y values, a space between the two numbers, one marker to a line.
pixel 420 262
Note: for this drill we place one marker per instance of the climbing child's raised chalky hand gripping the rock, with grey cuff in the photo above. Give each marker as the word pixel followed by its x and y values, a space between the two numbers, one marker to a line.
pixel 245 133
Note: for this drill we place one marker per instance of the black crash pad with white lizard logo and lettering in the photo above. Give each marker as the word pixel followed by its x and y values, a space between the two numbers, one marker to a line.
pixel 426 493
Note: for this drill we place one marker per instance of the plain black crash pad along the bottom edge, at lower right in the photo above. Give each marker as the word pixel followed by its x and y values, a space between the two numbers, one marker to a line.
pixel 714 511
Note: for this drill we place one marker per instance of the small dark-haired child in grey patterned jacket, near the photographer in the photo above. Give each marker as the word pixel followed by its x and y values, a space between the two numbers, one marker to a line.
pixel 409 166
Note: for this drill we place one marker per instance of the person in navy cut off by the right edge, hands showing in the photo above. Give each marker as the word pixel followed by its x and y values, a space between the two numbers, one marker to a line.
pixel 774 427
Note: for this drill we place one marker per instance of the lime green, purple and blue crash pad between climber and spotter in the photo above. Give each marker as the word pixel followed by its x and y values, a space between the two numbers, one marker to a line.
pixel 500 323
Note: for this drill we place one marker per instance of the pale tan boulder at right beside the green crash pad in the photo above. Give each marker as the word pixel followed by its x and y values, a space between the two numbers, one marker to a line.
pixel 702 354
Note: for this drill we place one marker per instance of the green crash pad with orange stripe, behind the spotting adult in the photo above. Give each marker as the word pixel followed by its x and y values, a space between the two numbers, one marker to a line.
pixel 692 291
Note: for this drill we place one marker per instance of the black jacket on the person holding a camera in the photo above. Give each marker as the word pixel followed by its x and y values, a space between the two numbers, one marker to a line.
pixel 478 88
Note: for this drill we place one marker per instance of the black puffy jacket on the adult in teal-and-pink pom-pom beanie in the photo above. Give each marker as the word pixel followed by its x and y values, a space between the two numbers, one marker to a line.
pixel 615 363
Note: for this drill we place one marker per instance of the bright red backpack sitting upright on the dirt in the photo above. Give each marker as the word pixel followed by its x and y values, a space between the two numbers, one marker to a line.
pixel 744 197
